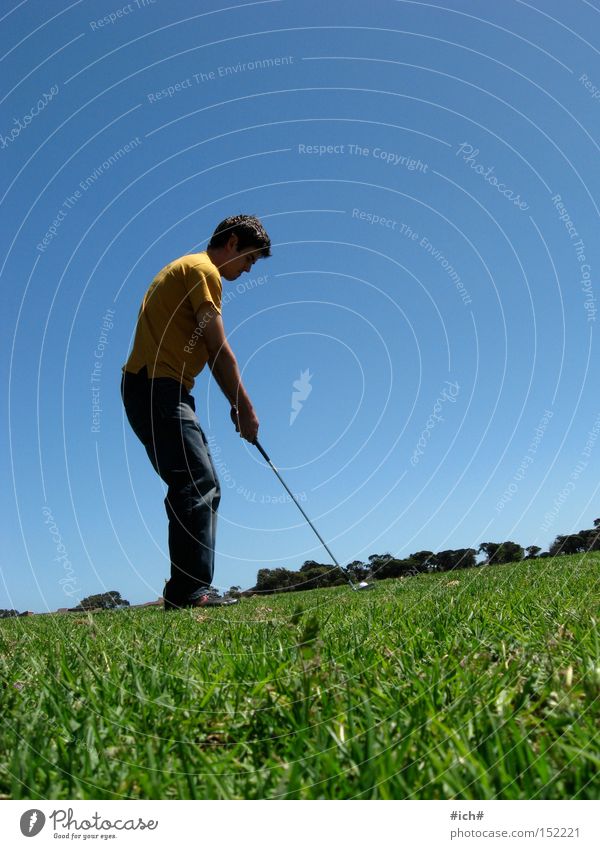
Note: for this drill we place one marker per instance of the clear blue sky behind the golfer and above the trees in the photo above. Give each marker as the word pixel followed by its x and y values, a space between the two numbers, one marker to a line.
pixel 128 131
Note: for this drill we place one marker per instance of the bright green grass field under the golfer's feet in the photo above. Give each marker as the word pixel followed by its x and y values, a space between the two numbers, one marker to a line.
pixel 477 684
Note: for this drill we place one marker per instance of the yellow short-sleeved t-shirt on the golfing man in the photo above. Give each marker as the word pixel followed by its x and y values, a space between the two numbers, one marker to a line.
pixel 168 340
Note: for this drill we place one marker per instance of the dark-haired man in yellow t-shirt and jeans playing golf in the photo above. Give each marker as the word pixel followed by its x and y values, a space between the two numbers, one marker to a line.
pixel 179 331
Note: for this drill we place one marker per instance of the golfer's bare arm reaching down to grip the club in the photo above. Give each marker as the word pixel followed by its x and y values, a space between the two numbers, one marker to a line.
pixel 223 365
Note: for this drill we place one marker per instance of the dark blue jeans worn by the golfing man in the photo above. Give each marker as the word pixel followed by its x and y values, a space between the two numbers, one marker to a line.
pixel 162 414
